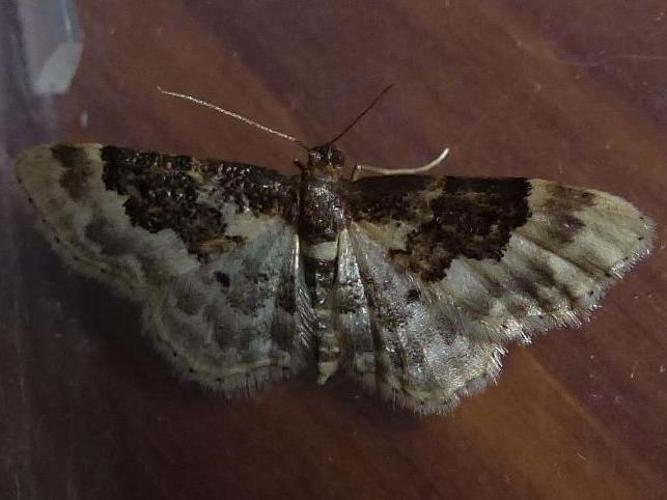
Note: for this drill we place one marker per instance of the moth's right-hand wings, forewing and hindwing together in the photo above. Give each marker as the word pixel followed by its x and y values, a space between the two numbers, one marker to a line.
pixel 454 268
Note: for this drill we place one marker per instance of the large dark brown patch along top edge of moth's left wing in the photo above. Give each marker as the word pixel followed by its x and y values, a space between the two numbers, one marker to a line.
pixel 164 192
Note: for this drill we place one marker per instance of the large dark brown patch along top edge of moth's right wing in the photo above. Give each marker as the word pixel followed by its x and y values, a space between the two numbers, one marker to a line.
pixel 454 216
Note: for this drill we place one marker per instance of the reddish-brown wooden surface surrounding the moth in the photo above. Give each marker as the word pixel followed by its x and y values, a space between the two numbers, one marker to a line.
pixel 574 90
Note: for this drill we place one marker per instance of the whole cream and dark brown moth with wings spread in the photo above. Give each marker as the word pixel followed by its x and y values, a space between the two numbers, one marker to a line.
pixel 412 284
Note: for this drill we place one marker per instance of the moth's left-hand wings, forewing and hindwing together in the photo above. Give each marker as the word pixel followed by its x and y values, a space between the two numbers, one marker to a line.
pixel 208 247
